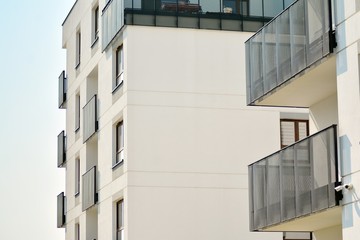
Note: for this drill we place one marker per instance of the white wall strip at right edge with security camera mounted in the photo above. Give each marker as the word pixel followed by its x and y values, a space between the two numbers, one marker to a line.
pixel 347 22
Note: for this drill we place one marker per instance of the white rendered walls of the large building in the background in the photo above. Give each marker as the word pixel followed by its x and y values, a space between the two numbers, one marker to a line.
pixel 188 134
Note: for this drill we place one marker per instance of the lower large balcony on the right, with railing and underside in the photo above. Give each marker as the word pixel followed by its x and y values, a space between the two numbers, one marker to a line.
pixel 293 189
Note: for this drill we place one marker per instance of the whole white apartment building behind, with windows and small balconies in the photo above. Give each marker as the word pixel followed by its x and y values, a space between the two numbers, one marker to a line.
pixel 158 135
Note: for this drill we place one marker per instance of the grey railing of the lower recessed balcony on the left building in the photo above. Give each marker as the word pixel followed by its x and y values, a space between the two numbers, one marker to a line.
pixel 89 194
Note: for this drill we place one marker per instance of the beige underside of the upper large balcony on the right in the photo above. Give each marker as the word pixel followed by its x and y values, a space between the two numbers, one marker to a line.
pixel 307 88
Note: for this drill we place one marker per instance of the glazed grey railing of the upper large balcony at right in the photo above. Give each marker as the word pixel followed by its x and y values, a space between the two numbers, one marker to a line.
pixel 293 41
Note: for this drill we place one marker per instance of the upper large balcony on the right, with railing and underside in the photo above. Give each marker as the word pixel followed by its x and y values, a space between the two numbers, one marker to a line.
pixel 291 56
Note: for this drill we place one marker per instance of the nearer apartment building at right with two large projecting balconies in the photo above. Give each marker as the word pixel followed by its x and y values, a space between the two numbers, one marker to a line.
pixel 308 56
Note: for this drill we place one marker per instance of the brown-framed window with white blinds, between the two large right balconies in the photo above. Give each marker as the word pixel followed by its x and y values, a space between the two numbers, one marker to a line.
pixel 293 131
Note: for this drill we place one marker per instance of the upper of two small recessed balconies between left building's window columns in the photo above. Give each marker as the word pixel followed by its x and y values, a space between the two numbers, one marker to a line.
pixel 90 118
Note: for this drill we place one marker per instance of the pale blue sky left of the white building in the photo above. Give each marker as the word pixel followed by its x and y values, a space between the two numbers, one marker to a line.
pixel 31 59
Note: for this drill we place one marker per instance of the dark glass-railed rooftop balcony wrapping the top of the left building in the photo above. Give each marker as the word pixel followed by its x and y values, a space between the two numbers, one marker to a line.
pixel 235 15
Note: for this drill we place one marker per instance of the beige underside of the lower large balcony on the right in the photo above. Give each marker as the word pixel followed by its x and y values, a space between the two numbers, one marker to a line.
pixel 327 218
